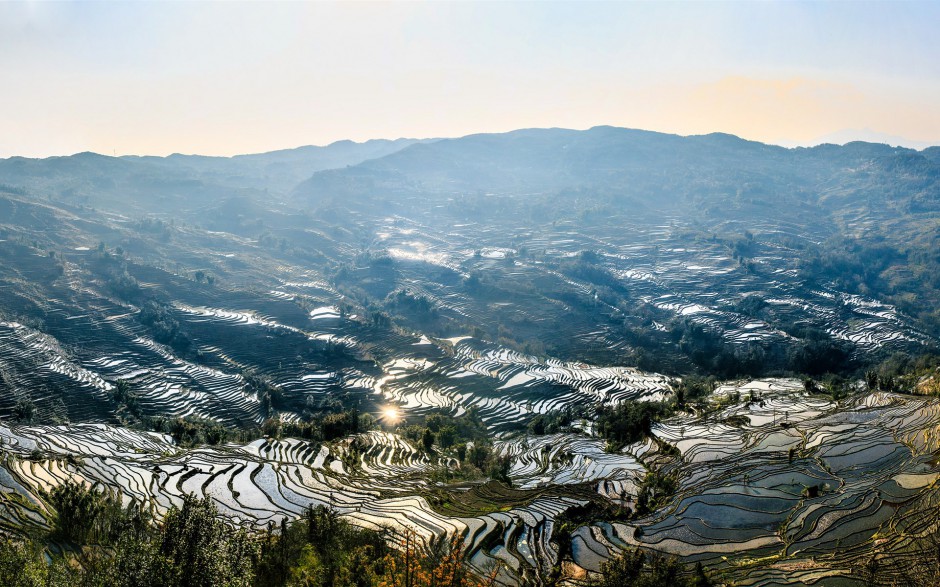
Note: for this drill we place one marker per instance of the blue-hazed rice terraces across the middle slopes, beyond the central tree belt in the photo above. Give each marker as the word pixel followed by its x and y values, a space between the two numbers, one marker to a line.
pixel 291 329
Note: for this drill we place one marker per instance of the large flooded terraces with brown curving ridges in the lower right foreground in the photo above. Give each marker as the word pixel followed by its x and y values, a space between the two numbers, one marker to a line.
pixel 750 505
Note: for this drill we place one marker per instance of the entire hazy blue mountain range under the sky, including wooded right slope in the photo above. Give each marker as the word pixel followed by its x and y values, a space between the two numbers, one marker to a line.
pixel 856 197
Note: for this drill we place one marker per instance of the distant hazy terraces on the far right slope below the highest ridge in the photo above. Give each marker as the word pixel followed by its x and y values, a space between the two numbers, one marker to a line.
pixel 696 279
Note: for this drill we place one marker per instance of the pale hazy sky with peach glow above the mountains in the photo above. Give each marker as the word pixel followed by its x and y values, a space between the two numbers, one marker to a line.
pixel 225 78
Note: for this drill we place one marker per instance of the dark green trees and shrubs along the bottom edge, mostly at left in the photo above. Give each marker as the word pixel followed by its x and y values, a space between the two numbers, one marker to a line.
pixel 95 541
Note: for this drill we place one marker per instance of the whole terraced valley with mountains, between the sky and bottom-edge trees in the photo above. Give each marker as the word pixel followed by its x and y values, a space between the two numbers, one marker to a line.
pixel 278 333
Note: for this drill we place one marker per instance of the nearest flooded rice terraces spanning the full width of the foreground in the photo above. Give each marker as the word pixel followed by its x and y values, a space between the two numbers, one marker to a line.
pixel 780 477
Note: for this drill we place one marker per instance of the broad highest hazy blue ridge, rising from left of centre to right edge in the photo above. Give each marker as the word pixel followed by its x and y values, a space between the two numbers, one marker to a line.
pixel 647 169
